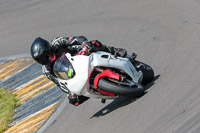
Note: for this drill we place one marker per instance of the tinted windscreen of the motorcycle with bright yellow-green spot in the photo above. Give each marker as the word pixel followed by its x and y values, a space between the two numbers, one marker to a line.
pixel 63 69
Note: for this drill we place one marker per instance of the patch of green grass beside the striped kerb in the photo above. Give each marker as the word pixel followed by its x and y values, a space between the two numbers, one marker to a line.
pixel 7 103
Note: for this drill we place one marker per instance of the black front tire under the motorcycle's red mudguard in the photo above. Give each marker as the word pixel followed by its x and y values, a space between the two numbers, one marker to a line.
pixel 120 89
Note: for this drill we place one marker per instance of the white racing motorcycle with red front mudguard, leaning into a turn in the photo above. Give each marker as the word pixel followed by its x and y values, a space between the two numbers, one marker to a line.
pixel 102 75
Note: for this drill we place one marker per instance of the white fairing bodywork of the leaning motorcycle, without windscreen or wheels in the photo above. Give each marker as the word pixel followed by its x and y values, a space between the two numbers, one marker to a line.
pixel 84 65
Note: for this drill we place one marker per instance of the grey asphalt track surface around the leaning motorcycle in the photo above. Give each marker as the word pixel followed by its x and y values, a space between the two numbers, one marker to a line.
pixel 164 34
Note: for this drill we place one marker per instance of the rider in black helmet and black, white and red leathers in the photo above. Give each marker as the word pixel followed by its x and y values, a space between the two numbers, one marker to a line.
pixel 46 53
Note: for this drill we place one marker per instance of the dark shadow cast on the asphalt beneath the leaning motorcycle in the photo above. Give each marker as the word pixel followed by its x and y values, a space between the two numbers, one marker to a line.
pixel 120 102
